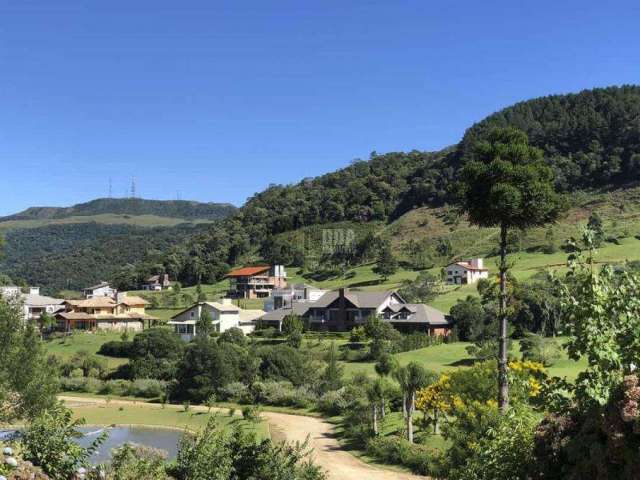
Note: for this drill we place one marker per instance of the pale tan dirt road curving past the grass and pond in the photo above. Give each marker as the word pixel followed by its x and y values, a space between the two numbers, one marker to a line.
pixel 327 451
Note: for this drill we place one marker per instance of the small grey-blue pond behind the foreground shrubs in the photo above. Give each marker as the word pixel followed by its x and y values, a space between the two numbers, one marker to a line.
pixel 161 438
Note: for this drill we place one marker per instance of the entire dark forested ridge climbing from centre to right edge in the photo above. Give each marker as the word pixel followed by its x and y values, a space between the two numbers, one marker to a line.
pixel 592 139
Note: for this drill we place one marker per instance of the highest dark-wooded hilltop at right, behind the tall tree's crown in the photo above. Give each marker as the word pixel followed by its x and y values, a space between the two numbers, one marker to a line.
pixel 592 138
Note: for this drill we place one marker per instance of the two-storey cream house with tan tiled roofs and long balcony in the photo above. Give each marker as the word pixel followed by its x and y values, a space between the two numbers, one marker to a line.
pixel 104 313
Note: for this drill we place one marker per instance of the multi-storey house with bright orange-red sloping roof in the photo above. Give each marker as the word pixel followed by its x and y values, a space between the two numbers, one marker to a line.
pixel 256 282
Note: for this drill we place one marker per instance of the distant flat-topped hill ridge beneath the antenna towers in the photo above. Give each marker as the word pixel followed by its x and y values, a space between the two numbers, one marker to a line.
pixel 183 209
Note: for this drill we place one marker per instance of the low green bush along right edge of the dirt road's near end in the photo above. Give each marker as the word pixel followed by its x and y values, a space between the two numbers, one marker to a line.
pixel 398 451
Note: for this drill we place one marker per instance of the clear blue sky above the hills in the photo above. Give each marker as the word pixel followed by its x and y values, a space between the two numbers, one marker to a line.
pixel 213 100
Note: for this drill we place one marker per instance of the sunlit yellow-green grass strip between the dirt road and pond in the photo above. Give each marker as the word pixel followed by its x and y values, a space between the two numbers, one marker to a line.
pixel 155 415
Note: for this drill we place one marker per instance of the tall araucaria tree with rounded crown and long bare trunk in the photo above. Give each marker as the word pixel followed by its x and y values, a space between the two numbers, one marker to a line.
pixel 507 185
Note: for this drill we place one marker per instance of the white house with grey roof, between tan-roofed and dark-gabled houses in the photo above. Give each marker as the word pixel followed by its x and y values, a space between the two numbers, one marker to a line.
pixel 224 315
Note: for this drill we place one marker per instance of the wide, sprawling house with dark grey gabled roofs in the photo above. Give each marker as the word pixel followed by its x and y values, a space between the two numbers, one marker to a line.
pixel 343 310
